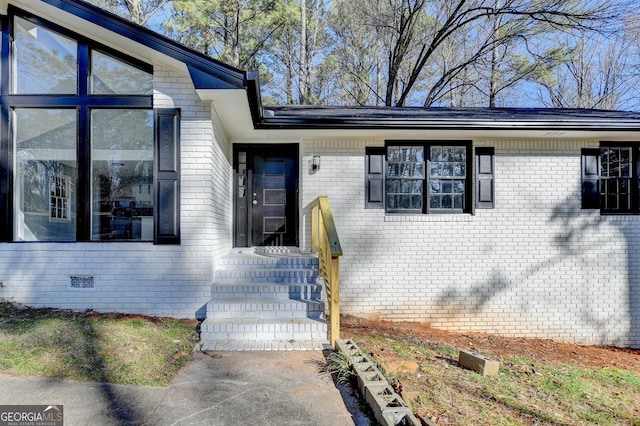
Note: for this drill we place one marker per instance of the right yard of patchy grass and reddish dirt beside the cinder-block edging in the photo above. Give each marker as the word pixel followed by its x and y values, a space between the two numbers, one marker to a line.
pixel 540 381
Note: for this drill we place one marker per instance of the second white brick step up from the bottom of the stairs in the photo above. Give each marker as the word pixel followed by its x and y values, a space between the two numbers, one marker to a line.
pixel 245 308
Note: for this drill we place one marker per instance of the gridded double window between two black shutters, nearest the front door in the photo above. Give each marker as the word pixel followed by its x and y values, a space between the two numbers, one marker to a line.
pixel 428 177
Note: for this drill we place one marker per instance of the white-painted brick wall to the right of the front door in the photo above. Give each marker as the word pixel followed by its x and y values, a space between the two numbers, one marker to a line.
pixel 536 265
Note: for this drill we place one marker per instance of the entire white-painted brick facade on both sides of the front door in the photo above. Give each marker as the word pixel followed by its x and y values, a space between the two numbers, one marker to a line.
pixel 536 265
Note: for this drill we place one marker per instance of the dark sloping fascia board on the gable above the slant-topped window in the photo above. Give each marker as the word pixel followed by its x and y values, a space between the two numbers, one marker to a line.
pixel 206 72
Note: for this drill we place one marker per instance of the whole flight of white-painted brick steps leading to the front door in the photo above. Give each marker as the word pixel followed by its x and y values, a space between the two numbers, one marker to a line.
pixel 267 299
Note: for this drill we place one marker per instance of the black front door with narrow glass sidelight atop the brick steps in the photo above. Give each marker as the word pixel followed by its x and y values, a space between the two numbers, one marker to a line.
pixel 266 188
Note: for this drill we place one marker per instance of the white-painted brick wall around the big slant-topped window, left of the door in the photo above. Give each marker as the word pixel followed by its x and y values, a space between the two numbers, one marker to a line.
pixel 142 277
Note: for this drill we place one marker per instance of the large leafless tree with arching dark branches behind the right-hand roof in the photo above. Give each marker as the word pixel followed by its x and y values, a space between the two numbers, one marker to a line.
pixel 417 29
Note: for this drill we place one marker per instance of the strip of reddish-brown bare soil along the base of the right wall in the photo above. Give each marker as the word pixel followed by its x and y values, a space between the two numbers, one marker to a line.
pixel 538 350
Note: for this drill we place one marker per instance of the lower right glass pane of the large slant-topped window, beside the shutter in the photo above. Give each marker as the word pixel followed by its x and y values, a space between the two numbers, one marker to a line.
pixel 122 174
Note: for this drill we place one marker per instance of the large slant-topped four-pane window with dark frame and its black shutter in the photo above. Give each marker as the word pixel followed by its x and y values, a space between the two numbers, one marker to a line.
pixel 83 162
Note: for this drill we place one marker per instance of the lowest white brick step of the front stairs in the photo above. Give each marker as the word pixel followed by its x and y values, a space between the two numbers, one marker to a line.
pixel 303 329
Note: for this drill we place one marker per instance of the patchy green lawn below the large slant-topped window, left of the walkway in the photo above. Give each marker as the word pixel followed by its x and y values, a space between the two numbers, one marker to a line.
pixel 88 346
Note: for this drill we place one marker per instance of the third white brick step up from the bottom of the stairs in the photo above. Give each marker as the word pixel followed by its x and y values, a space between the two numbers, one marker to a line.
pixel 282 291
